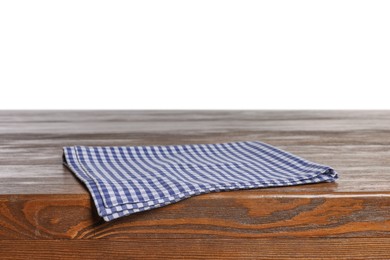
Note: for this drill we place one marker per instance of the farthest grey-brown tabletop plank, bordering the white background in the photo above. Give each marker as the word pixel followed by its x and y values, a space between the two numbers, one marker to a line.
pixel 76 122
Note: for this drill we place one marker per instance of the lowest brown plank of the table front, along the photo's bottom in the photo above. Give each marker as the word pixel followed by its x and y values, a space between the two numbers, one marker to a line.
pixel 319 248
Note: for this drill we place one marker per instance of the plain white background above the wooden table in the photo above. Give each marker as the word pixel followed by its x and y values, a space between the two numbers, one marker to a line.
pixel 197 54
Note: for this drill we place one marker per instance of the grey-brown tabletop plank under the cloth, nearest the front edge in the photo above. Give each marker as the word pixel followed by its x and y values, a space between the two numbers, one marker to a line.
pixel 365 171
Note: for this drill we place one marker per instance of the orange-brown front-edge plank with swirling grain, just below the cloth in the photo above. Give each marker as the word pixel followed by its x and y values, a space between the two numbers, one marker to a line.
pixel 226 214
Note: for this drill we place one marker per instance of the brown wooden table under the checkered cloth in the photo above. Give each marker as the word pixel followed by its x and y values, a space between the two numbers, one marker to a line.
pixel 47 213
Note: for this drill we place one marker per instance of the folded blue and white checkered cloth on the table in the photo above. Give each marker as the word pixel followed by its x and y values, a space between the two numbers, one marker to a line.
pixel 124 180
